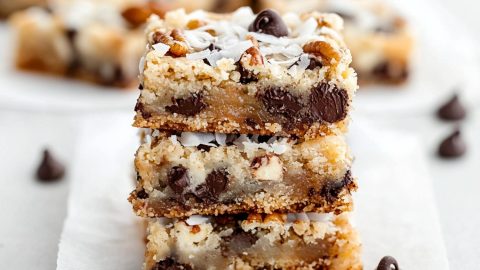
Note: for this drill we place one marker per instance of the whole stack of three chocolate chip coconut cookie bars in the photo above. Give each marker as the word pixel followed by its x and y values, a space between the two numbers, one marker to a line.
pixel 243 162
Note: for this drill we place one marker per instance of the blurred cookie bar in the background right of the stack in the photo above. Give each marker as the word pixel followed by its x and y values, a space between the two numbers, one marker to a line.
pixel 379 38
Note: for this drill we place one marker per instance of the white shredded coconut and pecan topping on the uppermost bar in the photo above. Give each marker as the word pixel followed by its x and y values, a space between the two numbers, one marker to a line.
pixel 218 37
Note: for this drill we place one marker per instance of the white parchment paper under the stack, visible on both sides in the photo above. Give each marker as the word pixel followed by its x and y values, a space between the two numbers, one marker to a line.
pixel 387 207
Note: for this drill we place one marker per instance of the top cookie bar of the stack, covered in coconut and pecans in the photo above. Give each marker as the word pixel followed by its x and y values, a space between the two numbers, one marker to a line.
pixel 245 73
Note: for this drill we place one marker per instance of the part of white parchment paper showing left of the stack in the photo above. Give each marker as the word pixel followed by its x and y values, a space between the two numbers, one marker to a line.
pixel 101 230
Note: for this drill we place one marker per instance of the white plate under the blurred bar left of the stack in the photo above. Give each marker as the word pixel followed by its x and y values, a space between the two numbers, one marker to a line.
pixel 34 92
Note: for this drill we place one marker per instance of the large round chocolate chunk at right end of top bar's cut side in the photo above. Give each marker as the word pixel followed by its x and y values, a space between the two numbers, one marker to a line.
pixel 328 103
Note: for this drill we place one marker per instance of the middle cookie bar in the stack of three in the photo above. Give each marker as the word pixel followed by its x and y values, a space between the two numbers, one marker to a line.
pixel 186 174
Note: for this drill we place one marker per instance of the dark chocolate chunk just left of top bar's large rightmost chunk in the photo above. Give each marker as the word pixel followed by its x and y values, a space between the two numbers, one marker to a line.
pixel 278 101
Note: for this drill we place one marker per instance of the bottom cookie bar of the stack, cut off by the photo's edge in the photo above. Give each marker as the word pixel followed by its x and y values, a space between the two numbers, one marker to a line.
pixel 254 241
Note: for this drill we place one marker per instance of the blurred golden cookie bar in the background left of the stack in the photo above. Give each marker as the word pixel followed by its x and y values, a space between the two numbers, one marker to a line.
pixel 82 39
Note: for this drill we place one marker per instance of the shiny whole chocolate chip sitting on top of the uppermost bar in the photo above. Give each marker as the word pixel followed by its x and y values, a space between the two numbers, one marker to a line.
pixel 270 23
